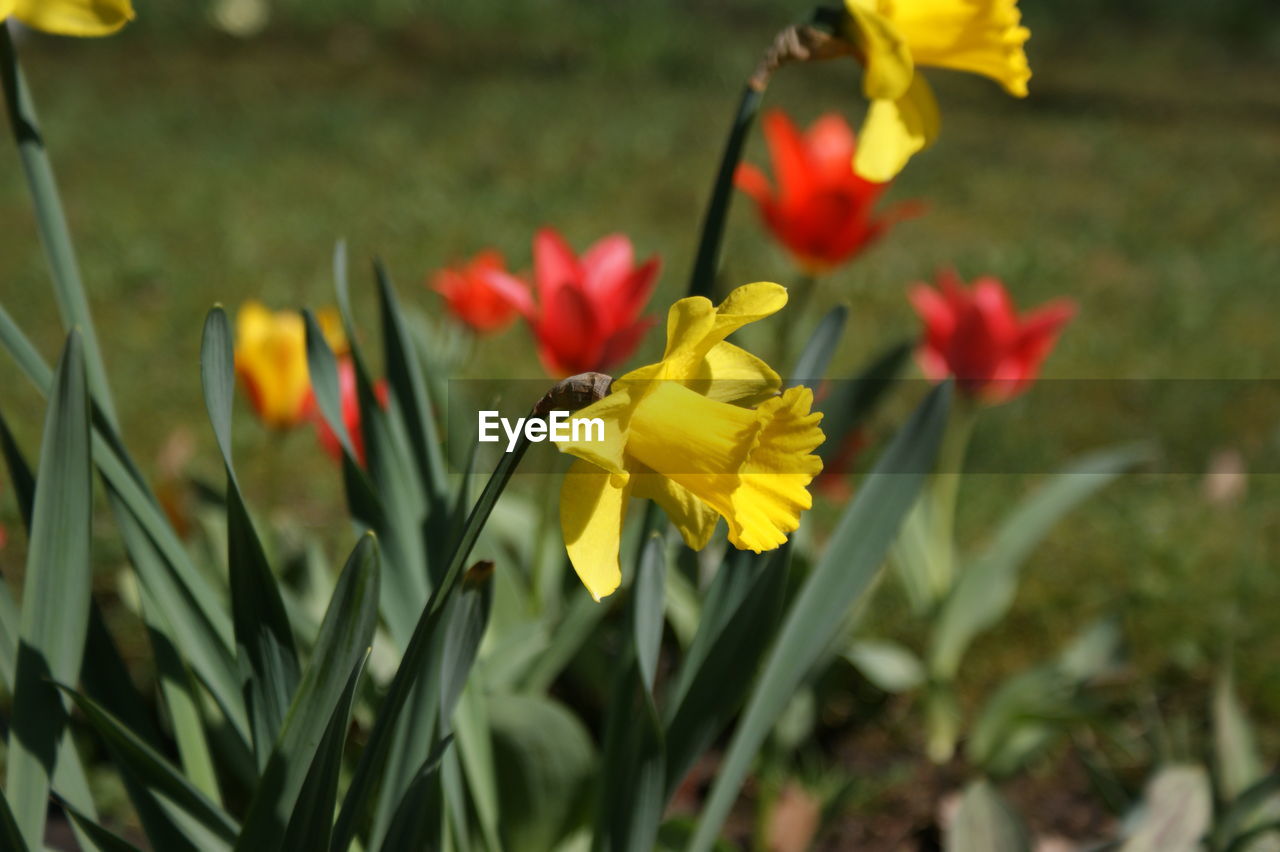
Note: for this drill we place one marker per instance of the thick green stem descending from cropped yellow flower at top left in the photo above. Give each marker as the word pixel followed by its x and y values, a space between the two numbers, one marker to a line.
pixel 52 222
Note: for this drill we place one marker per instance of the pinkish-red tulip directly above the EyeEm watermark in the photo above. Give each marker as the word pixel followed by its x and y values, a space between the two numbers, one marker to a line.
pixel 588 312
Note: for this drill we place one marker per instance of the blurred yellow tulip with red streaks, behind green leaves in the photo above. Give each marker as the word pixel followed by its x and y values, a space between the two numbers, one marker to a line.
pixel 272 360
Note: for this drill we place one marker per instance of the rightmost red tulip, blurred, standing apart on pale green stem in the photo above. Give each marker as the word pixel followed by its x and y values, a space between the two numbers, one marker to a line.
pixel 976 336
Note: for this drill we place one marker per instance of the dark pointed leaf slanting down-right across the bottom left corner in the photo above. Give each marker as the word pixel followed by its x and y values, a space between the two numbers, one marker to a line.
pixel 170 786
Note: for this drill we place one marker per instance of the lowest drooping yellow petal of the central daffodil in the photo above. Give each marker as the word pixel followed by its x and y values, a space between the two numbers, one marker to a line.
pixel 592 512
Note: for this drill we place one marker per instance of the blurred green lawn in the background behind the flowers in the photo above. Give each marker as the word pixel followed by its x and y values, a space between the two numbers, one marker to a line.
pixel 1137 180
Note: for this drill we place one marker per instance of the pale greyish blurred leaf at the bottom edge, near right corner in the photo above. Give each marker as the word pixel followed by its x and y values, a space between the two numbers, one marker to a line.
pixel 1176 812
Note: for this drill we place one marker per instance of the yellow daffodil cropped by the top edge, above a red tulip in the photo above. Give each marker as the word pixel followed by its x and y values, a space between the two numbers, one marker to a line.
pixel 895 38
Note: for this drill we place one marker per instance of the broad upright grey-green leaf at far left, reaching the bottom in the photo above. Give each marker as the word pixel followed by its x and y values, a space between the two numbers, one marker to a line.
pixel 56 599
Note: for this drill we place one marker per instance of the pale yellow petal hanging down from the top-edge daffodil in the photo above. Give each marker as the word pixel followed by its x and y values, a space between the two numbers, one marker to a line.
pixel 895 131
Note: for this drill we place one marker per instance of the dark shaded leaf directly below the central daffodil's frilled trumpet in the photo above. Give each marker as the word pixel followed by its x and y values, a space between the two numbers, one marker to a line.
pixel 739 621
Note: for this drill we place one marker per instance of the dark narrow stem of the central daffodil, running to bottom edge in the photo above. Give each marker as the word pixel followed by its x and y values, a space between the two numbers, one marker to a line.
pixel 369 771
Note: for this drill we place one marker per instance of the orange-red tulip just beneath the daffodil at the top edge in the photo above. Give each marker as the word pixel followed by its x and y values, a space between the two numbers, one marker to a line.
pixel 822 212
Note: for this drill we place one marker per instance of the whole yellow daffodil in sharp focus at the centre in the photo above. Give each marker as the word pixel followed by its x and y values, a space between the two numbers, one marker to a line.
pixel 684 433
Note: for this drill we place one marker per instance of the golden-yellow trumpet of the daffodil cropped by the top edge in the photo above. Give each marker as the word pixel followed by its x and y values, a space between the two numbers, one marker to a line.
pixel 979 36
